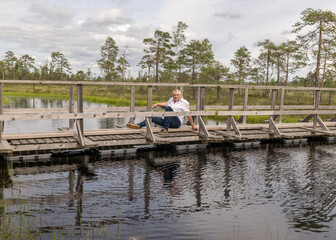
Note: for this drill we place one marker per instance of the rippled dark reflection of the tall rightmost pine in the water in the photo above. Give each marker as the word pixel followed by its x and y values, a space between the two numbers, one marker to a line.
pixel 309 204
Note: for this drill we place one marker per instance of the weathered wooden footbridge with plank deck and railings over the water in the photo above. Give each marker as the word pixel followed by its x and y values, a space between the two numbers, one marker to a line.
pixel 76 137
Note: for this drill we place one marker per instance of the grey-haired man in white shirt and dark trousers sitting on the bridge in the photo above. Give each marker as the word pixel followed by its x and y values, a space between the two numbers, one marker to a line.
pixel 175 104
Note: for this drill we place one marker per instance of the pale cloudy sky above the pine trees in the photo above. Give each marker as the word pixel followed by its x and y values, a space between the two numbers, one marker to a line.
pixel 78 28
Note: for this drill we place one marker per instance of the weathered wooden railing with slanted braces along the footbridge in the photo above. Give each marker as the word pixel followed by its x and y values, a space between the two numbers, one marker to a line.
pixel 77 116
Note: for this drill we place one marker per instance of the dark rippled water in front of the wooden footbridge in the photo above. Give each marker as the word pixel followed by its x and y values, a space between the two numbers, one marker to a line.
pixel 273 192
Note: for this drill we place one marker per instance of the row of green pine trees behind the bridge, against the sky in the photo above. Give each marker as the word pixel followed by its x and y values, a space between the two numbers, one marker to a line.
pixel 169 57
